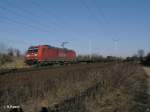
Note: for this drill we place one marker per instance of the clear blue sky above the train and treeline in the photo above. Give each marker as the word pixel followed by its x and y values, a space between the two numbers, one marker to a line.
pixel 32 22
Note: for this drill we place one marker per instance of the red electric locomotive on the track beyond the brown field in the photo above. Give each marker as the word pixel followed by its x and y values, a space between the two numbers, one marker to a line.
pixel 48 54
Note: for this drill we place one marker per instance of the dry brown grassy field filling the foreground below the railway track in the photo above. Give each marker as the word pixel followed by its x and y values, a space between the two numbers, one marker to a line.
pixel 97 87
